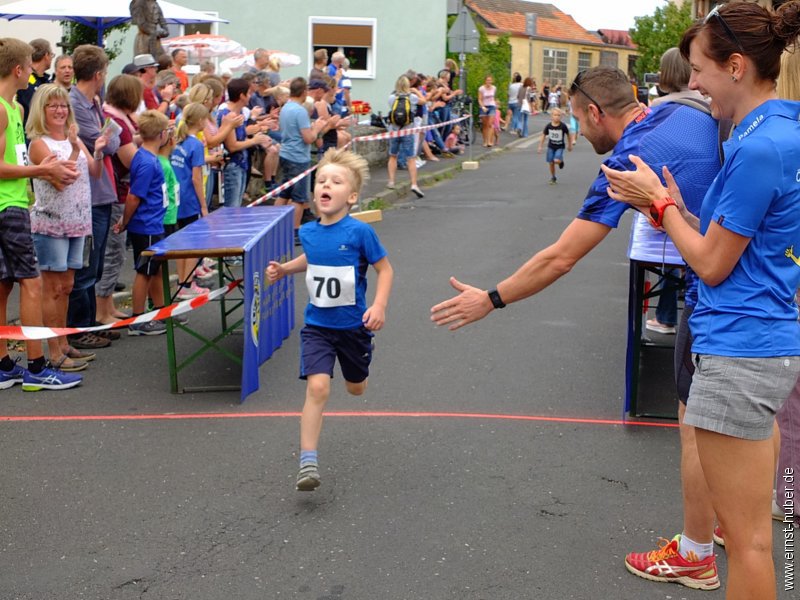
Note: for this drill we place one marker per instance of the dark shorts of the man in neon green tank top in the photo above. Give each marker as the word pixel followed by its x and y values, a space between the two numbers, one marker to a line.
pixel 17 254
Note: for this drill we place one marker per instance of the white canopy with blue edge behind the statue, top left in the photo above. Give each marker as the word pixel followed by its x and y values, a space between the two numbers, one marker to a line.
pixel 97 14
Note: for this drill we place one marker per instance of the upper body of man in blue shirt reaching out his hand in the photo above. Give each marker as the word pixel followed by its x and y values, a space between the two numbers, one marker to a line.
pixel 612 120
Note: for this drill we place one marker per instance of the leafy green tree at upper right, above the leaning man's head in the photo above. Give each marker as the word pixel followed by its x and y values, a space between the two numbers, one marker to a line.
pixel 656 33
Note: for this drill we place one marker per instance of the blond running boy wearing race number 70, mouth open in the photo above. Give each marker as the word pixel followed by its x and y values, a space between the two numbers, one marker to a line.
pixel 338 323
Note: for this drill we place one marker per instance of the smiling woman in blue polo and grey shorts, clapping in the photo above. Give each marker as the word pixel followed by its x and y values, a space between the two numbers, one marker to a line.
pixel 746 335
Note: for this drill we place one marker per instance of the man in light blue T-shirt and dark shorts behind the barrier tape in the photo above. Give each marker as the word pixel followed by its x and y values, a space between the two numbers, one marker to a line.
pixel 297 135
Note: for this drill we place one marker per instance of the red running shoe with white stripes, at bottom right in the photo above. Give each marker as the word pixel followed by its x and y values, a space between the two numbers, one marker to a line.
pixel 666 564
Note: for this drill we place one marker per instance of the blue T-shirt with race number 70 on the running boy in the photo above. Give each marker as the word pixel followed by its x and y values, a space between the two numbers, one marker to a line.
pixel 338 256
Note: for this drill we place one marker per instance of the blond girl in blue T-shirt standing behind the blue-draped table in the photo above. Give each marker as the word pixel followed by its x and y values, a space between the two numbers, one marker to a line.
pixel 187 160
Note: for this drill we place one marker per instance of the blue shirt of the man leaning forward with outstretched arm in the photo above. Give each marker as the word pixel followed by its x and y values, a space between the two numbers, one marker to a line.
pixel 662 138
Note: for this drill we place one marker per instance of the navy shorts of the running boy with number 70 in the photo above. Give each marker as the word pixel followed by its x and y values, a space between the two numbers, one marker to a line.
pixel 320 347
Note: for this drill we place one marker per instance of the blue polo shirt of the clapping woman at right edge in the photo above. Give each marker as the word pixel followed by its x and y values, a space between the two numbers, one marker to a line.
pixel 757 194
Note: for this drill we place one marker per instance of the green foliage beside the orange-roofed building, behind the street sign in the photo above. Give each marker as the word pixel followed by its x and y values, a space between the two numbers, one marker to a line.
pixel 492 58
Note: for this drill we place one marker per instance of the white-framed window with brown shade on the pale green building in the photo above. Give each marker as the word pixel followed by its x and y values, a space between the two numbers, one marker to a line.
pixel 354 37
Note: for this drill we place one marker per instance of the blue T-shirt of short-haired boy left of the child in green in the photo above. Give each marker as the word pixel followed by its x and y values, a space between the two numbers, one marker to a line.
pixel 148 184
